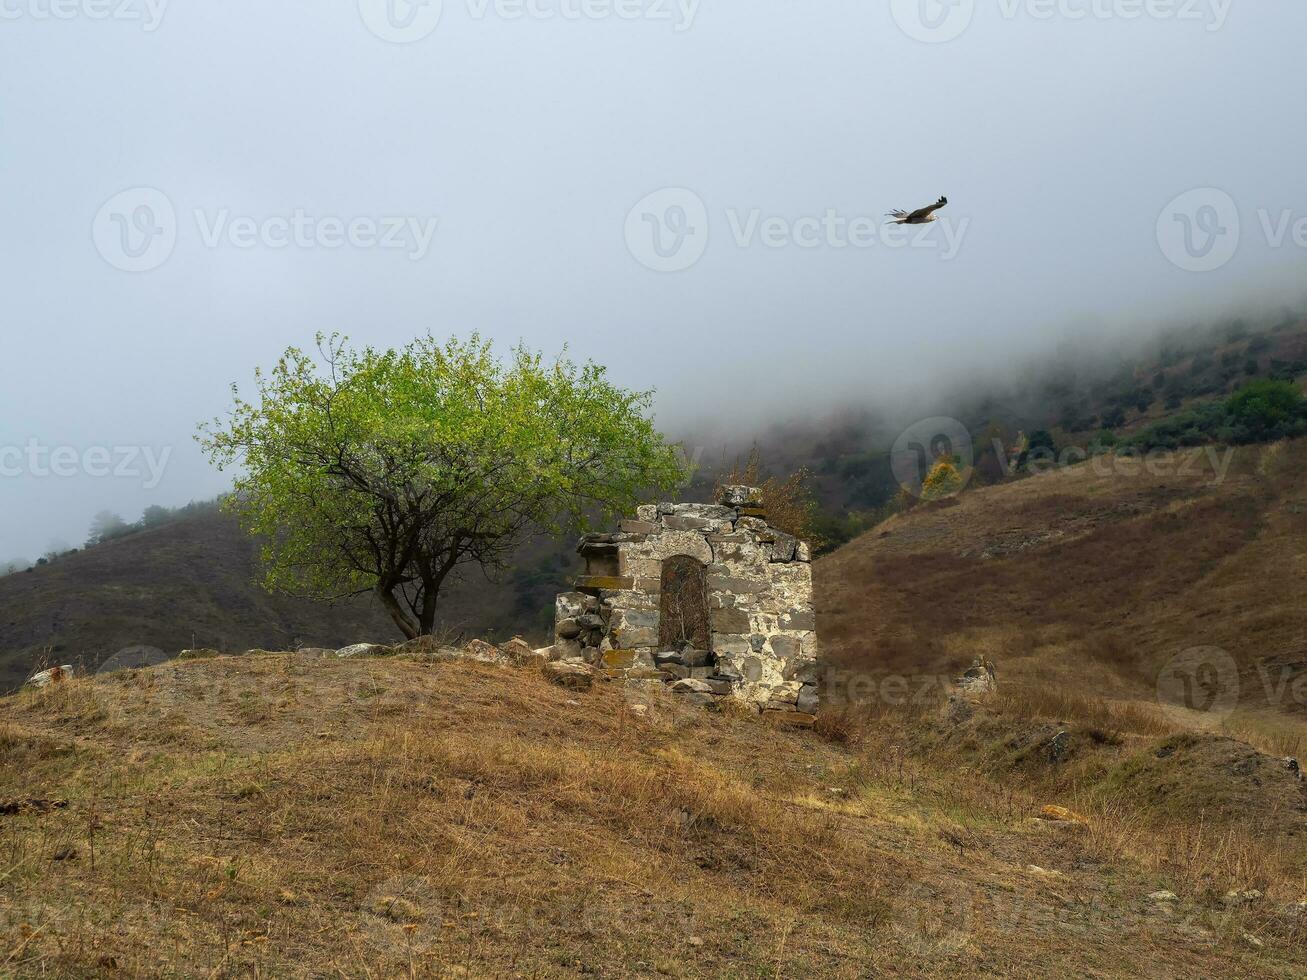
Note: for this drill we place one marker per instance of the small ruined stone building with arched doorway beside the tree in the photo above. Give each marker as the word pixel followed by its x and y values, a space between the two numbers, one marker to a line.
pixel 650 587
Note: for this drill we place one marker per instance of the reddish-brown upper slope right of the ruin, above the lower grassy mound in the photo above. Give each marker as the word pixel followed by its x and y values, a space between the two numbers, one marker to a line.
pixel 1089 582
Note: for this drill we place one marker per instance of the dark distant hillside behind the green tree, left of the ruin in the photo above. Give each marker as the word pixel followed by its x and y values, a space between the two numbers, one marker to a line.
pixel 194 583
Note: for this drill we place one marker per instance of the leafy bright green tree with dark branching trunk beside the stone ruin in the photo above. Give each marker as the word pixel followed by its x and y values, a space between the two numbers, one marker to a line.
pixel 393 471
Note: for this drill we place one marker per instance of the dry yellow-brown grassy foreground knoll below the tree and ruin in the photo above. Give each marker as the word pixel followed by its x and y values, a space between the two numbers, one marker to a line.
pixel 276 816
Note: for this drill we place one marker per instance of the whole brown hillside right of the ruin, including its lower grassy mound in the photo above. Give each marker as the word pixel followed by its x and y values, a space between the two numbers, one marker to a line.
pixel 1091 590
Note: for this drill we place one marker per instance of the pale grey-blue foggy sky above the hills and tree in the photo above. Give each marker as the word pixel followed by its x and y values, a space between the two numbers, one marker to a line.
pixel 1061 140
